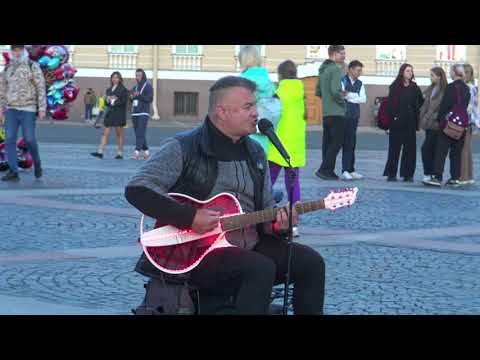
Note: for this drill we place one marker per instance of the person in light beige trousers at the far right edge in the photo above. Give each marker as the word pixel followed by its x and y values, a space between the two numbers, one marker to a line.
pixel 466 171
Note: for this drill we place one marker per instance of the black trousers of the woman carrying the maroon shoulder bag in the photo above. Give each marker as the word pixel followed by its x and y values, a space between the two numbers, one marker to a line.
pixel 444 145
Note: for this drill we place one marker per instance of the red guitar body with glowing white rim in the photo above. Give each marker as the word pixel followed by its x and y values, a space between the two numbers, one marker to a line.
pixel 182 257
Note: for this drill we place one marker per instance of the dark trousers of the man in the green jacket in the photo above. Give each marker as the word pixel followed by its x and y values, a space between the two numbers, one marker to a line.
pixel 333 137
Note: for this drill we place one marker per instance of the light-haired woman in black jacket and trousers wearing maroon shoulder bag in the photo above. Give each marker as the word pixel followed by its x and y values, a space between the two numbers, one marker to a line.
pixel 457 92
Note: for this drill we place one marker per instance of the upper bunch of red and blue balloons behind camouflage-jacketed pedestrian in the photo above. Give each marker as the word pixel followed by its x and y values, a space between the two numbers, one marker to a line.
pixel 61 90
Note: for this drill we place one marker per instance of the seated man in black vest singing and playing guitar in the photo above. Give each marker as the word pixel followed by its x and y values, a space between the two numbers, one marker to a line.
pixel 219 157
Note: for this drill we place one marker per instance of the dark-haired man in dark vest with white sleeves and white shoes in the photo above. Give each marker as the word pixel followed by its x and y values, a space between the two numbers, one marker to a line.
pixel 354 96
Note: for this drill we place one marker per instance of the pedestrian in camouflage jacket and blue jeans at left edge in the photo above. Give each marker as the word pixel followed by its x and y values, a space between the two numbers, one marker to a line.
pixel 22 98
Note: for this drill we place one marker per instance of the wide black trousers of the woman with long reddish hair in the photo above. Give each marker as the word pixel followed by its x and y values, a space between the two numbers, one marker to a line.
pixel 398 139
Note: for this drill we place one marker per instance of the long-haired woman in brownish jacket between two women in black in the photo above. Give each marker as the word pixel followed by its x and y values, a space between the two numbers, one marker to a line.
pixel 428 118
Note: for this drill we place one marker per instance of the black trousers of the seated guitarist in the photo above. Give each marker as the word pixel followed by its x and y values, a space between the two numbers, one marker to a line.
pixel 250 275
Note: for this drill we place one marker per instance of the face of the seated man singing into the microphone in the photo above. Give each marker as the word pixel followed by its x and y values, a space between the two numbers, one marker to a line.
pixel 238 112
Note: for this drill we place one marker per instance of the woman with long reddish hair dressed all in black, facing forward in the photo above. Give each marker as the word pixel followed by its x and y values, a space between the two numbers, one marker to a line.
pixel 404 101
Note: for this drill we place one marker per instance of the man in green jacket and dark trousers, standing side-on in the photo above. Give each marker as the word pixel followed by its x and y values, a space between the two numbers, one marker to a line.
pixel 329 88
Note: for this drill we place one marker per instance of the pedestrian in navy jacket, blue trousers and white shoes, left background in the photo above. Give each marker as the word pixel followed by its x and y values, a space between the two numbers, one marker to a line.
pixel 142 97
